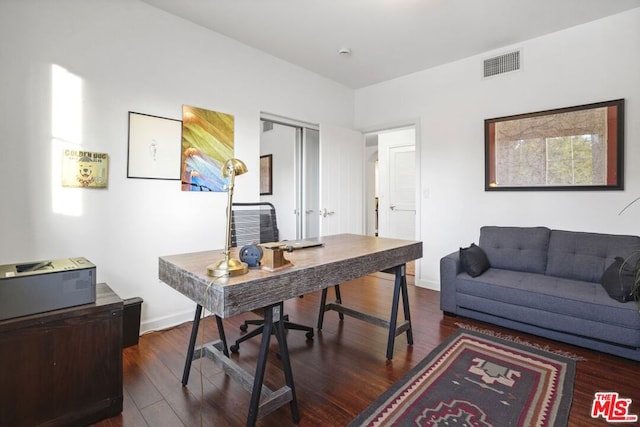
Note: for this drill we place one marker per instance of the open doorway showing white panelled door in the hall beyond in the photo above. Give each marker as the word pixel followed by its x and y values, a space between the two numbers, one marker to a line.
pixel 397 184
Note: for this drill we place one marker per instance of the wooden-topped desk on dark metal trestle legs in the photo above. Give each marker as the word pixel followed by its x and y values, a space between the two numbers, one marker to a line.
pixel 342 258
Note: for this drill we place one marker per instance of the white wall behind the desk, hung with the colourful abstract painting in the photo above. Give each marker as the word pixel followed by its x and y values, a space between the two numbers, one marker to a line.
pixel 130 57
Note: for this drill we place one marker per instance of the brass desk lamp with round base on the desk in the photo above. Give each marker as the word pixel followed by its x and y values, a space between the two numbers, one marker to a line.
pixel 228 266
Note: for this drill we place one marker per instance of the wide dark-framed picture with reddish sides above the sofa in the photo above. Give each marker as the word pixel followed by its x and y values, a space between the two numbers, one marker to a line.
pixel 574 148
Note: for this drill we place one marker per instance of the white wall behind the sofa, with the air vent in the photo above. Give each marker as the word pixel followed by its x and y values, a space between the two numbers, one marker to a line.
pixel 594 62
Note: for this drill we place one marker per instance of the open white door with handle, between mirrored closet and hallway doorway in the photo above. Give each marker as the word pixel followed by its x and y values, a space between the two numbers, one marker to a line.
pixel 341 180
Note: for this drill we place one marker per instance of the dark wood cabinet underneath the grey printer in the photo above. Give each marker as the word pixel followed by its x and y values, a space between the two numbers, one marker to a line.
pixel 63 367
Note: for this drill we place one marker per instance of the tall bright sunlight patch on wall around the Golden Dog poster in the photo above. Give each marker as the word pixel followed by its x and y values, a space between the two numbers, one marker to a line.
pixel 66 132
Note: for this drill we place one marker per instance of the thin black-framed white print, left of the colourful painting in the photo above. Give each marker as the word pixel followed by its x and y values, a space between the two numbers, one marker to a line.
pixel 154 147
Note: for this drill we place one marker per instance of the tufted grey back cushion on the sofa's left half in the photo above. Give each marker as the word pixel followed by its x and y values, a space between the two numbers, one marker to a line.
pixel 516 248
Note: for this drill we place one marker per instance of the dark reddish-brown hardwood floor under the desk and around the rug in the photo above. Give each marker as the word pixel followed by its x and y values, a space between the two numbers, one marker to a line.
pixel 337 374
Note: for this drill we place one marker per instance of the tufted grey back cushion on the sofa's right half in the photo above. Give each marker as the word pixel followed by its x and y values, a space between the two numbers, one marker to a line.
pixel 585 256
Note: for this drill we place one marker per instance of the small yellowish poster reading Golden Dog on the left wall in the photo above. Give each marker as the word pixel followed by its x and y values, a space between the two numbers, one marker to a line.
pixel 84 169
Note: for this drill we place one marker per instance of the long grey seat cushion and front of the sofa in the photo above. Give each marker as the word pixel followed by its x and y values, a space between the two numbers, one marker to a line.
pixel 583 305
